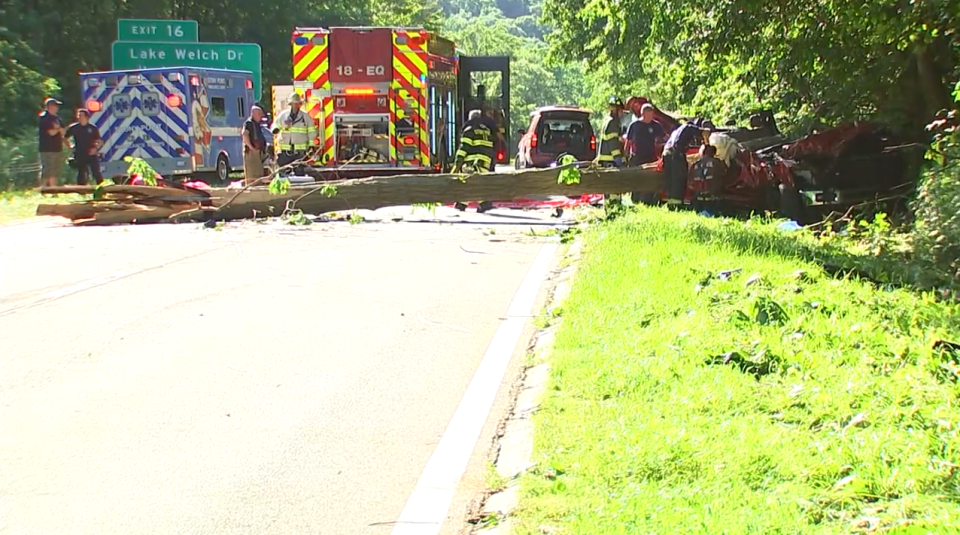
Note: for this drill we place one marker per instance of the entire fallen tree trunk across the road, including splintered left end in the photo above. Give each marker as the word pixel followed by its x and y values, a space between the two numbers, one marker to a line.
pixel 130 204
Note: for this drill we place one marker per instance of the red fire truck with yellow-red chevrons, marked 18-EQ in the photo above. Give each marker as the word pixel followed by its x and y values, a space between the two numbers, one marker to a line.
pixel 390 100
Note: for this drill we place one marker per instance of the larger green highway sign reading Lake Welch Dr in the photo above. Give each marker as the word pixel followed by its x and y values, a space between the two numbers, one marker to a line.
pixel 236 56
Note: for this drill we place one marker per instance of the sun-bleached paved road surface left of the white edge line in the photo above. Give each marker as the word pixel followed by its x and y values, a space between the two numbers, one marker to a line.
pixel 258 378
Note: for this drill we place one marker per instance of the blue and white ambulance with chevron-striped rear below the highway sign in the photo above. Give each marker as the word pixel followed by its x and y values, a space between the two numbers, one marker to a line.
pixel 180 120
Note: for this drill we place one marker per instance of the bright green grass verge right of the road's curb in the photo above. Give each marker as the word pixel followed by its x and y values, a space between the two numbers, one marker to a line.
pixel 856 426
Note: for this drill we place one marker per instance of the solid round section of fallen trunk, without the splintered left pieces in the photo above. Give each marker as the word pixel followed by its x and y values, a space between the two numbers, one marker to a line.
pixel 400 190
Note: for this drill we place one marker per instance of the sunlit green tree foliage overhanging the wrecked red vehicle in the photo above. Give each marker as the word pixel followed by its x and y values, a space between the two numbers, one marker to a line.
pixel 837 59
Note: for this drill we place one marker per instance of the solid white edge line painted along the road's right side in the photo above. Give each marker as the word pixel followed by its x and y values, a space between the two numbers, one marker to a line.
pixel 427 507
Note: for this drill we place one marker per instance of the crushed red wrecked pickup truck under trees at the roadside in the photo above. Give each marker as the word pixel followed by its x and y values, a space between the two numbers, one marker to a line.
pixel 805 179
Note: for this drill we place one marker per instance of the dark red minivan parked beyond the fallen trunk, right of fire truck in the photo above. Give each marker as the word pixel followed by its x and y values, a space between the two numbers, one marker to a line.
pixel 555 130
